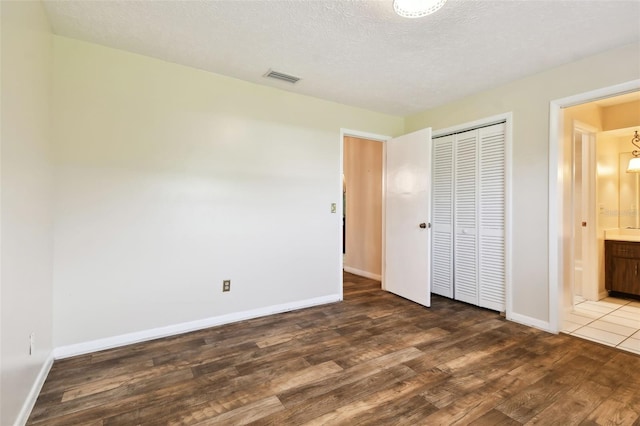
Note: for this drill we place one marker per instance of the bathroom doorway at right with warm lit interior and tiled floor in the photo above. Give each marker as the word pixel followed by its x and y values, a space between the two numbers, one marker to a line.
pixel 588 205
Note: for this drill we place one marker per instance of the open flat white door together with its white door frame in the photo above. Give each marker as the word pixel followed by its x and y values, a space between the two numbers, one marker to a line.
pixel 404 253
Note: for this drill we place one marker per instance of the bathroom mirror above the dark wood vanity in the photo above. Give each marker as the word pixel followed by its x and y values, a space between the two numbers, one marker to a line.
pixel 629 185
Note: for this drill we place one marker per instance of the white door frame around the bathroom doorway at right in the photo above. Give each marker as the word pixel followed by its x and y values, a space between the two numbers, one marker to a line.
pixel 558 230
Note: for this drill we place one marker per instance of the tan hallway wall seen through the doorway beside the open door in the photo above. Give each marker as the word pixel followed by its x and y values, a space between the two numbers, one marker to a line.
pixel 363 178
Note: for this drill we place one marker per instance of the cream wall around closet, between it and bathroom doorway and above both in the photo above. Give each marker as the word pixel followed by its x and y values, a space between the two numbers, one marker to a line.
pixel 529 100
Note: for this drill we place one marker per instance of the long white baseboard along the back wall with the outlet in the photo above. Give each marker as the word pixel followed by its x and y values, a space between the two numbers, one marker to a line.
pixel 185 327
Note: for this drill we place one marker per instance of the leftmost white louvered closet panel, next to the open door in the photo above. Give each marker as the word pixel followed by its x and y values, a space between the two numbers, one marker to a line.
pixel 442 217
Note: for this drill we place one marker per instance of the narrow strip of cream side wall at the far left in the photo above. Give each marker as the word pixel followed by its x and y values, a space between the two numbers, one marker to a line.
pixel 26 230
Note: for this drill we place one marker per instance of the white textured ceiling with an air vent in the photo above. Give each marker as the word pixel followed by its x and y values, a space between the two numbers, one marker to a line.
pixel 359 52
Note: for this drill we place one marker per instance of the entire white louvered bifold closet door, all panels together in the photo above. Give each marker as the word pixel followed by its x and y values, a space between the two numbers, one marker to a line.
pixel 468 217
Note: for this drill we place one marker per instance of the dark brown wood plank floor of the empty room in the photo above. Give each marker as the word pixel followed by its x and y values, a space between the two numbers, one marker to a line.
pixel 373 359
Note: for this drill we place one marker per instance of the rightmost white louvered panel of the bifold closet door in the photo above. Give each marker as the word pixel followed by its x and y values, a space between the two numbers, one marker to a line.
pixel 491 196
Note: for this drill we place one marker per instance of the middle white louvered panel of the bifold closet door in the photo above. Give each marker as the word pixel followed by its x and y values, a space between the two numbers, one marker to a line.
pixel 465 217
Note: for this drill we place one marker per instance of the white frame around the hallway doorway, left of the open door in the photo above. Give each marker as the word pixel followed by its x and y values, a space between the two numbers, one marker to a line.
pixel 373 137
